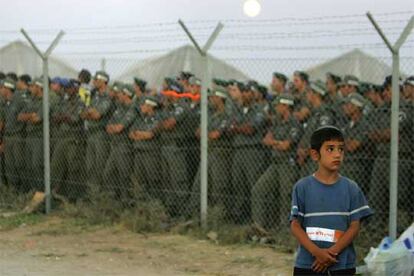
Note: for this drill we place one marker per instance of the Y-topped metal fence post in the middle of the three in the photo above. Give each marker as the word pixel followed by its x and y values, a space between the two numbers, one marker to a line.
pixel 204 117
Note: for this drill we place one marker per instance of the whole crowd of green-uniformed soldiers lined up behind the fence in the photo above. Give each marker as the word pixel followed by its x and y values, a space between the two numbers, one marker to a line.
pixel 102 135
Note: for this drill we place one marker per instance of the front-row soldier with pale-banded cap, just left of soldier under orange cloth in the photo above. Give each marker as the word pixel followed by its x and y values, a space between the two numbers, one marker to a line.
pixel 144 134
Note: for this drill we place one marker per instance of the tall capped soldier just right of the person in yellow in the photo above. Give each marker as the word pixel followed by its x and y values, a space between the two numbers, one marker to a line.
pixel 97 115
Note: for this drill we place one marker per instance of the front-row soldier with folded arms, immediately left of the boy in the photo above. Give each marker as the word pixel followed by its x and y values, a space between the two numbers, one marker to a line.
pixel 271 193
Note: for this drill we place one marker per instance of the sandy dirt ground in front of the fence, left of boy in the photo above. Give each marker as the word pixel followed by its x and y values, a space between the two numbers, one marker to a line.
pixel 56 246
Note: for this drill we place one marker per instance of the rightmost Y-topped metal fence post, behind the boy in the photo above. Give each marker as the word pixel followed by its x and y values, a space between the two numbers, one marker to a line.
pixel 394 49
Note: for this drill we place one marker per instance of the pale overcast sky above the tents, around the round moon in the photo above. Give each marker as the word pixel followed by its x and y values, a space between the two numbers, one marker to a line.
pixel 119 27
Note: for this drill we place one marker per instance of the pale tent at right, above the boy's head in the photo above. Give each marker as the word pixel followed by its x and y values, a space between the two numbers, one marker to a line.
pixel 365 67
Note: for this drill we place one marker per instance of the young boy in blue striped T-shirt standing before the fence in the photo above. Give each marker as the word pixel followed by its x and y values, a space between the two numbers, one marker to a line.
pixel 326 210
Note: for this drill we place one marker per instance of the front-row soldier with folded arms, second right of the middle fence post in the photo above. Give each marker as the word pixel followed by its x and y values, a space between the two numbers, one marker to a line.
pixel 247 127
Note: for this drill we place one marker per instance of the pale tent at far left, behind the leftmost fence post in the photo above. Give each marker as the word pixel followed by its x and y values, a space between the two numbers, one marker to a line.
pixel 20 58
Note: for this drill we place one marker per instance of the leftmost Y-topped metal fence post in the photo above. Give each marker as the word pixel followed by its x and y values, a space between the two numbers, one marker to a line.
pixel 46 135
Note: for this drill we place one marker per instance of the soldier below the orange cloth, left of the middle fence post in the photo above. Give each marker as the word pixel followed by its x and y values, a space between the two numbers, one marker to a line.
pixel 174 151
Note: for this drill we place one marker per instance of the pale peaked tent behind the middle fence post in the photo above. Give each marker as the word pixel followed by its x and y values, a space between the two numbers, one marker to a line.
pixel 185 58
